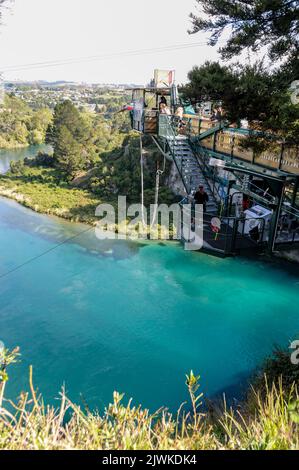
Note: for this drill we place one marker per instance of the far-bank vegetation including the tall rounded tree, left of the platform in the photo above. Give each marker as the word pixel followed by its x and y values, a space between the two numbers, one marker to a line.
pixel 95 159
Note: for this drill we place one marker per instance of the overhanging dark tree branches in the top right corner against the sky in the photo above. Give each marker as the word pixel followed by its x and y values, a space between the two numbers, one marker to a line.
pixel 252 24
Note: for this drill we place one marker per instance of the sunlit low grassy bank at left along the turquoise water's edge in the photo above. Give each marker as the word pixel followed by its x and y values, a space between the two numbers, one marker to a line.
pixel 41 189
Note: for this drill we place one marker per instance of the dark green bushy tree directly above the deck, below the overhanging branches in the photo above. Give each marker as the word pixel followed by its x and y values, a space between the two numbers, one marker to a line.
pixel 247 92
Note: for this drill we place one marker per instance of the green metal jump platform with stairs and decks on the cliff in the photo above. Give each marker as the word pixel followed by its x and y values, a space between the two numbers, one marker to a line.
pixel 253 194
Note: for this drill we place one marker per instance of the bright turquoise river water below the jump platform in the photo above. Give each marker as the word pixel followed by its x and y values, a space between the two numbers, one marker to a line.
pixel 100 316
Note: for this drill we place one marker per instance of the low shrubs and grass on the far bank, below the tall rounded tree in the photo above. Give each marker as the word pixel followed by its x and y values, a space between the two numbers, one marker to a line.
pixel 39 184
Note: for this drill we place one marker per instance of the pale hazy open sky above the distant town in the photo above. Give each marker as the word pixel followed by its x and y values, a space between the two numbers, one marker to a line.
pixel 44 30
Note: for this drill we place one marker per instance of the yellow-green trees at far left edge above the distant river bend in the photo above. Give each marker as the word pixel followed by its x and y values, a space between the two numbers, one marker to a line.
pixel 20 125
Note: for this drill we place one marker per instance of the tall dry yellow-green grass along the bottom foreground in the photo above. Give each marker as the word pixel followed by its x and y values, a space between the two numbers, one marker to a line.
pixel 32 425
